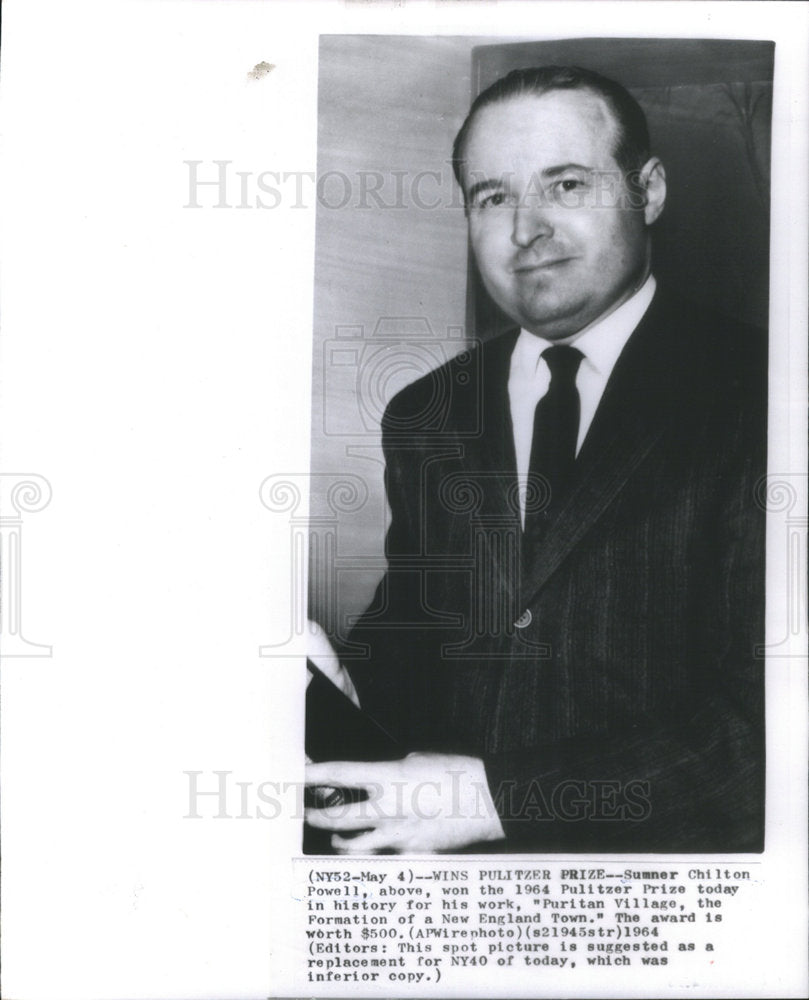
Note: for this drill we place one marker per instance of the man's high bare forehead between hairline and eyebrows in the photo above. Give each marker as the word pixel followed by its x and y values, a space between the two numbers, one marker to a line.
pixel 555 123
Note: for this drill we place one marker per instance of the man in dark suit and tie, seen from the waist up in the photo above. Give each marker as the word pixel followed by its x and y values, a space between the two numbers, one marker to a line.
pixel 565 639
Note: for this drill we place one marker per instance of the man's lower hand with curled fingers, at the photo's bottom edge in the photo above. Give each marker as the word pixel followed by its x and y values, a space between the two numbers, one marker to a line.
pixel 424 803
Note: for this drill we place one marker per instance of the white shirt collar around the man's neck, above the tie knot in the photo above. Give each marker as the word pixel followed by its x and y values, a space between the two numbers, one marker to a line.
pixel 601 342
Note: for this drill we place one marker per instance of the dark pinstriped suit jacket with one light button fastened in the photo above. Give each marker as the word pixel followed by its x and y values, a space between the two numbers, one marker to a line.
pixel 608 679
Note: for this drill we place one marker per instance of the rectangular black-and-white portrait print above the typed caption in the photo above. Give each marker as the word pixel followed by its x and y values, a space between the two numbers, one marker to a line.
pixel 565 649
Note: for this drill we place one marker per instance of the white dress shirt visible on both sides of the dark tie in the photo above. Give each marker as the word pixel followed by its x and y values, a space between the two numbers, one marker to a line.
pixel 529 377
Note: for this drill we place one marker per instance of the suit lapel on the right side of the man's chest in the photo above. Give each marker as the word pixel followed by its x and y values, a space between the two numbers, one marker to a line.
pixel 635 410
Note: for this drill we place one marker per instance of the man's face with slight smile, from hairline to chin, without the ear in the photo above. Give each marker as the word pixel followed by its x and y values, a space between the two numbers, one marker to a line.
pixel 550 218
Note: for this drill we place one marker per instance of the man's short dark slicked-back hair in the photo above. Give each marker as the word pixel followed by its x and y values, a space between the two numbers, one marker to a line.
pixel 632 132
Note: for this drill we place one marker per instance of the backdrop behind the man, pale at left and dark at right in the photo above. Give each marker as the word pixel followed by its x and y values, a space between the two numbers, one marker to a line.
pixel 392 298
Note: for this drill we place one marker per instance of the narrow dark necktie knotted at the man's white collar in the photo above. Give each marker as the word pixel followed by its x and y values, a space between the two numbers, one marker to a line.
pixel 553 446
